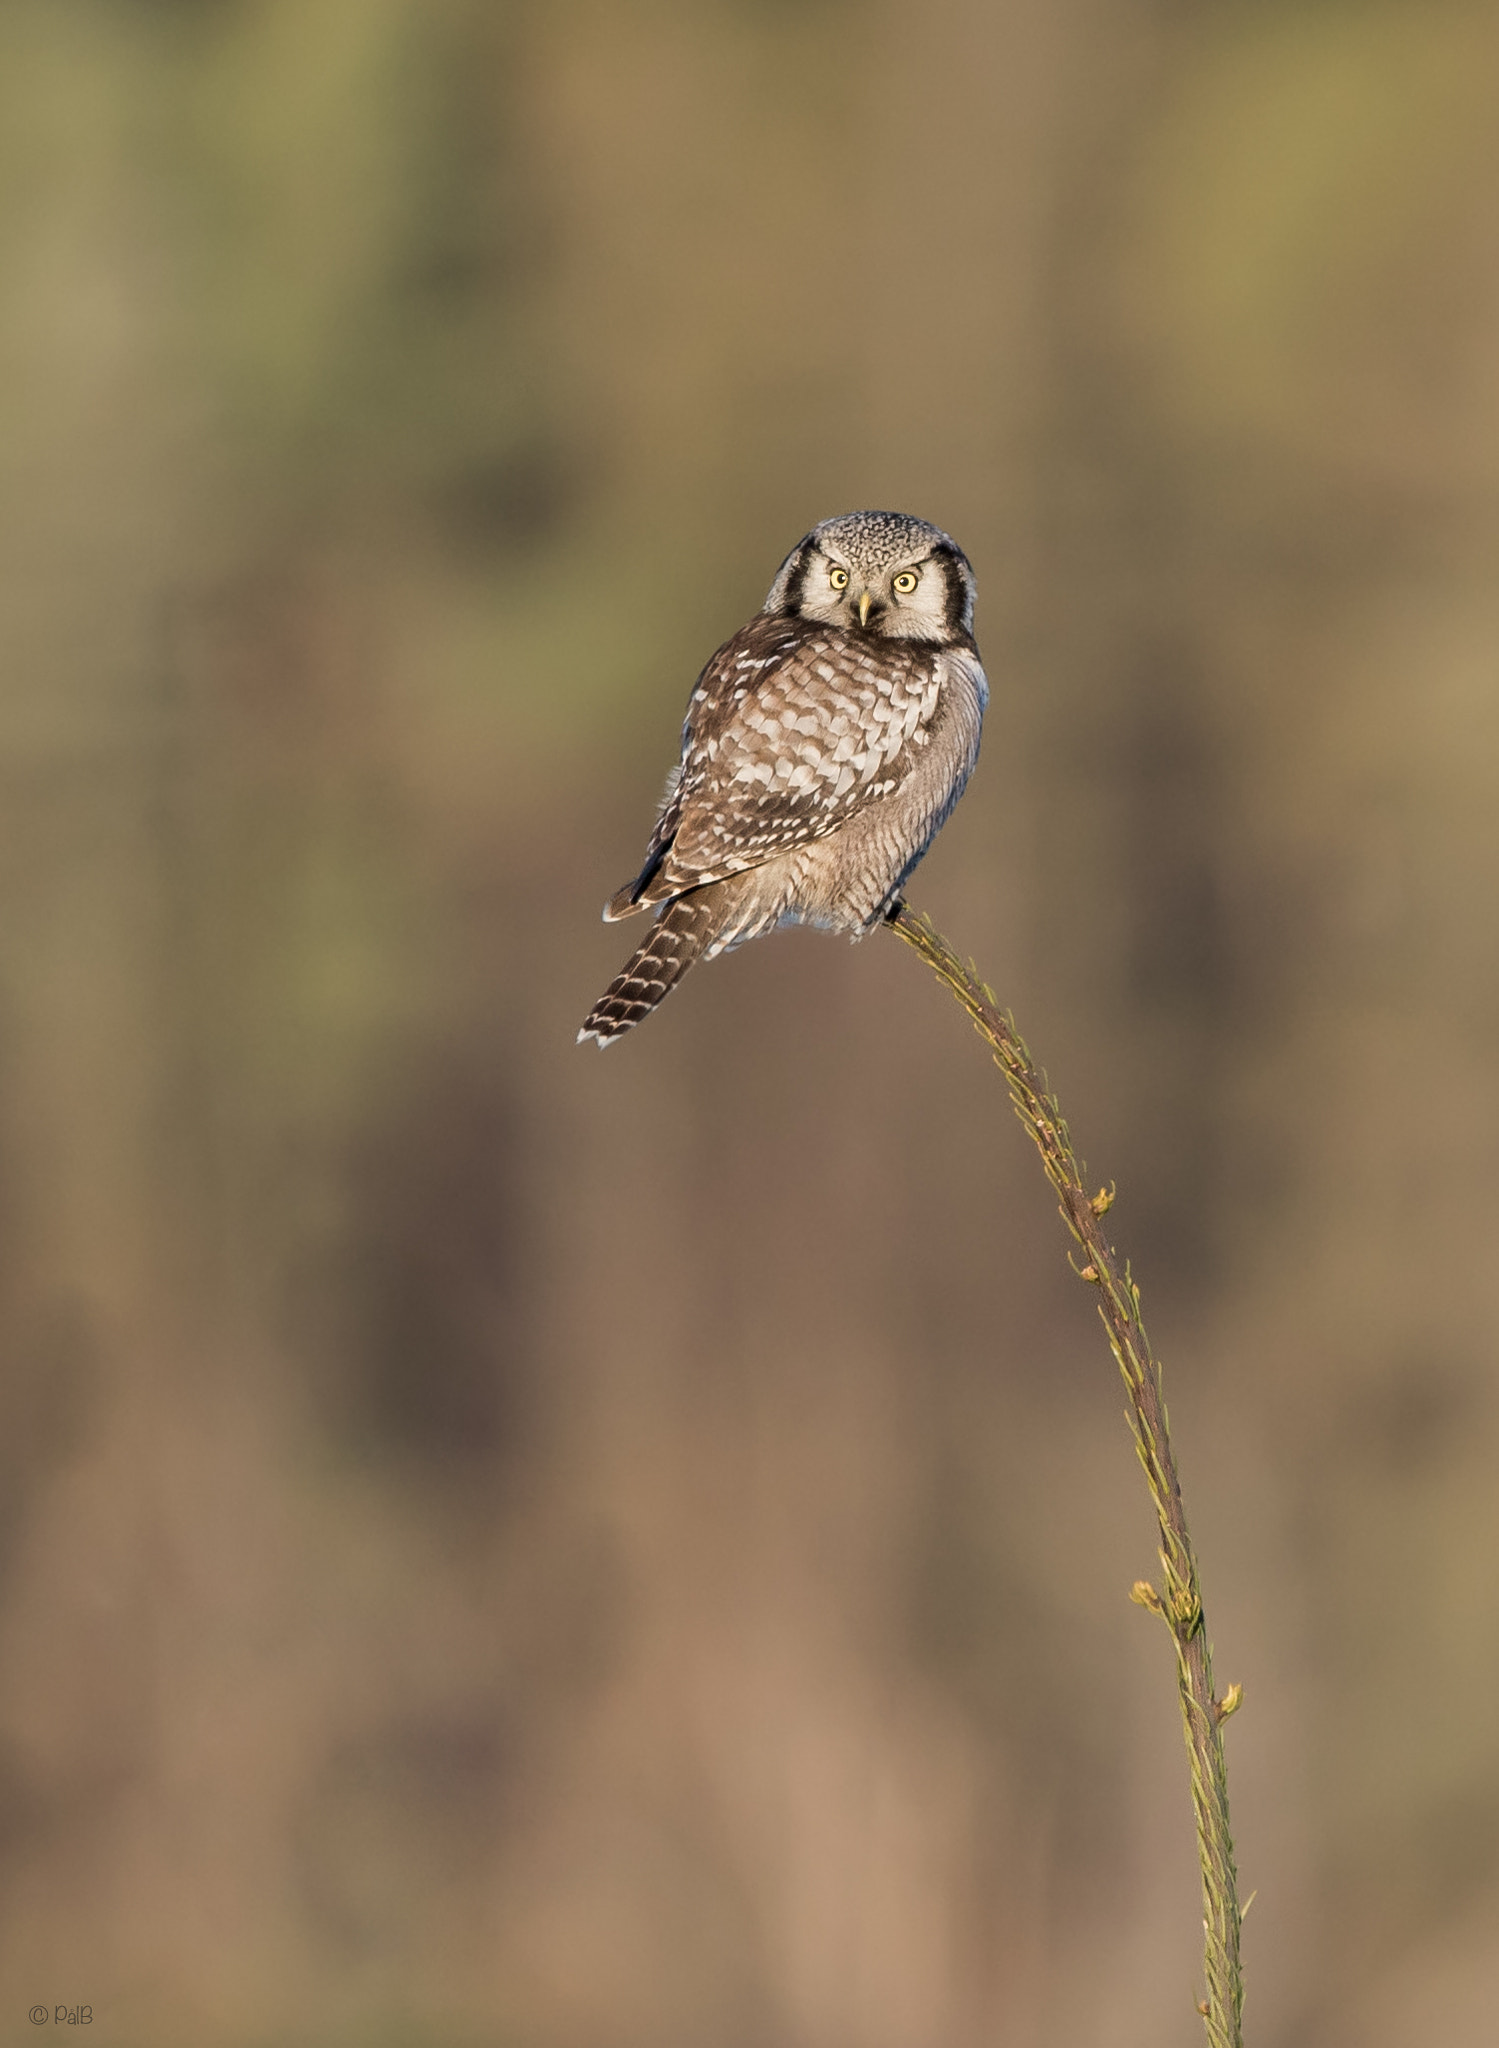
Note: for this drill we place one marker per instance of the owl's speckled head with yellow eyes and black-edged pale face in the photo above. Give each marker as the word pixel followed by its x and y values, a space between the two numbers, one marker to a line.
pixel 880 572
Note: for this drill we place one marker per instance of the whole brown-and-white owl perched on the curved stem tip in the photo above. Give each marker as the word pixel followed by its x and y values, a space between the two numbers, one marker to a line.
pixel 822 751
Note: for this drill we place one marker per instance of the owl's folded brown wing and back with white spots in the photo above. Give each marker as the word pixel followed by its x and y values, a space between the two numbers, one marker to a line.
pixel 791 730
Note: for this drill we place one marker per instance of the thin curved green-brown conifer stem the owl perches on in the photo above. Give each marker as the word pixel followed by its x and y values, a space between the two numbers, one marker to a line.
pixel 1179 1603
